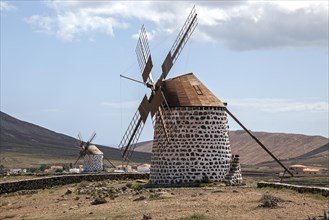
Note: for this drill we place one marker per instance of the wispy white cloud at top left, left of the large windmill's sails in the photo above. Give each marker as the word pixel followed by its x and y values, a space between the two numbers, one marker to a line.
pixel 74 19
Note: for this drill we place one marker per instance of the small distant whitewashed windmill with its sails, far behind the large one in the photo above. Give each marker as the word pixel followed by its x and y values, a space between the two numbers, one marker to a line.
pixel 92 156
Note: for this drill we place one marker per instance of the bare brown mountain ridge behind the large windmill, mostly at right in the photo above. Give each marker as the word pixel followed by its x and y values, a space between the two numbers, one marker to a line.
pixel 288 147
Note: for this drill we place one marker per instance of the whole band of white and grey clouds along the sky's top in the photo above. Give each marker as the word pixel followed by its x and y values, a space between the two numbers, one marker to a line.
pixel 239 25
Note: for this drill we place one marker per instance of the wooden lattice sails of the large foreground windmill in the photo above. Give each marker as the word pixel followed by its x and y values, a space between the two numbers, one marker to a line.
pixel 155 103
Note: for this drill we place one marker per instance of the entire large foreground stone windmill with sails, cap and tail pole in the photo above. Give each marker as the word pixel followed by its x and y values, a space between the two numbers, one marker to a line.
pixel 191 141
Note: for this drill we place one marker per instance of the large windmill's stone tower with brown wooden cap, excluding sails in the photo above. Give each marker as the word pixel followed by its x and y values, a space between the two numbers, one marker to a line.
pixel 199 147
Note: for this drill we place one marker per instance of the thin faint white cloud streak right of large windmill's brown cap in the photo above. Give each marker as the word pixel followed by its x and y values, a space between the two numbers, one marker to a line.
pixel 281 105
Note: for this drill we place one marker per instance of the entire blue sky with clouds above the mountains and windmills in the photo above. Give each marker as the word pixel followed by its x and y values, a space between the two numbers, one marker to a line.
pixel 61 61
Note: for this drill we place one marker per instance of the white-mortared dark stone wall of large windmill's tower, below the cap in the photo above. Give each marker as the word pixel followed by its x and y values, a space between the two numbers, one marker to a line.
pixel 199 147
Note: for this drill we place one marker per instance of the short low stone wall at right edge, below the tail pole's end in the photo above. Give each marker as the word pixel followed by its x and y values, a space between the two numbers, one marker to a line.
pixel 301 189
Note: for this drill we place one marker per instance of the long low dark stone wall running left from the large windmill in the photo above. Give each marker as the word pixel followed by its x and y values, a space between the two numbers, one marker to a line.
pixel 48 182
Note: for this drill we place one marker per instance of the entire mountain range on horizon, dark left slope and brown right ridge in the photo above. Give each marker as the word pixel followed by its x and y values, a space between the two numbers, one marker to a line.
pixel 23 144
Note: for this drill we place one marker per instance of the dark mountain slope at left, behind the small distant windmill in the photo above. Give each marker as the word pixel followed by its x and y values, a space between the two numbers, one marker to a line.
pixel 23 144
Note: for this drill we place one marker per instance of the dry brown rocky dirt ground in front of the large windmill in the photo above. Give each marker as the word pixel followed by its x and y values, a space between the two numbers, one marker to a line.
pixel 126 200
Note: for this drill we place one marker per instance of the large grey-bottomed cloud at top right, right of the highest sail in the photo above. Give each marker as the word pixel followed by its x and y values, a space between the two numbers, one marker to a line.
pixel 261 25
